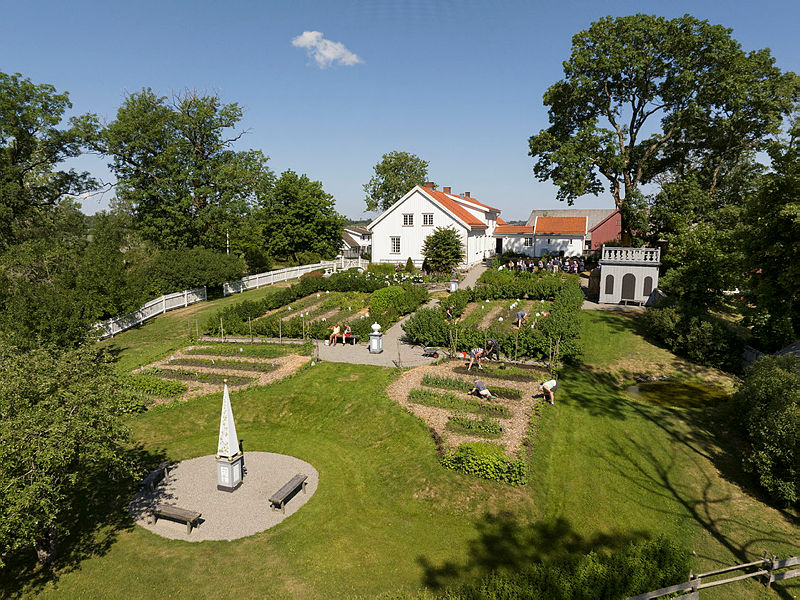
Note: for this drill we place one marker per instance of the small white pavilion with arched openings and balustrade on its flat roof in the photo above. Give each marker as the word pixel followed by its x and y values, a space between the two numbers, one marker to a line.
pixel 628 274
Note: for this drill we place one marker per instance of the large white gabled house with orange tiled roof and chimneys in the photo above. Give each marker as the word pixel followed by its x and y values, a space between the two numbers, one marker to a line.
pixel 399 232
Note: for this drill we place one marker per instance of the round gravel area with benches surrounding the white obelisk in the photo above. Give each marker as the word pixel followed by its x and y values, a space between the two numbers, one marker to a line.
pixel 192 484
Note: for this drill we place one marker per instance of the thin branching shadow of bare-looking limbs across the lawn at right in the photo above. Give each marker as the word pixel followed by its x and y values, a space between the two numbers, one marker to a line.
pixel 695 495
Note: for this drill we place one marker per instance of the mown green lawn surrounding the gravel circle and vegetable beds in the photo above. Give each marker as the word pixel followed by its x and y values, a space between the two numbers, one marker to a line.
pixel 606 468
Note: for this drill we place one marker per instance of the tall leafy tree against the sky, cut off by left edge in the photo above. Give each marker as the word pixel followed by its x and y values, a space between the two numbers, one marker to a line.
pixel 32 146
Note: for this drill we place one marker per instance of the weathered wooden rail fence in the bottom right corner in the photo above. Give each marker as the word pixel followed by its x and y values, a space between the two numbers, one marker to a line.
pixel 766 568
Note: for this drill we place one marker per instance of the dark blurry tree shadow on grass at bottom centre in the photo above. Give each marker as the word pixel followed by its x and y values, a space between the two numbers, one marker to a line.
pixel 505 543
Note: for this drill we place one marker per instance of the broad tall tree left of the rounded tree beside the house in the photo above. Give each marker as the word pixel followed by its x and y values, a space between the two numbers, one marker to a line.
pixel 177 170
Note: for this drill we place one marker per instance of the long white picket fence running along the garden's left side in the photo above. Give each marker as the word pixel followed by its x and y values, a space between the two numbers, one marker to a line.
pixel 180 299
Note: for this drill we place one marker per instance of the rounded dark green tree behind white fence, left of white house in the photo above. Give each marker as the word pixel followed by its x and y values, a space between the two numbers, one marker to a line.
pixel 299 216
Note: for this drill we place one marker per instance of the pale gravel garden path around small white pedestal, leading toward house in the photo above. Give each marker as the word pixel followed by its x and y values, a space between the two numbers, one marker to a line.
pixel 396 351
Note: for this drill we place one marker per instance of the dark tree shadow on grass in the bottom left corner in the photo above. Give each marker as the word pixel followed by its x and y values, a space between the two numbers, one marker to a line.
pixel 100 515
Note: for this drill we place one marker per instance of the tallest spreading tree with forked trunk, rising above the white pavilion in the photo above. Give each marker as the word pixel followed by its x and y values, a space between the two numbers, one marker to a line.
pixel 644 95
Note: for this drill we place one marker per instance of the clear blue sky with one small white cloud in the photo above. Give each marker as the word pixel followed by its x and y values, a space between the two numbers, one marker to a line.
pixel 328 87
